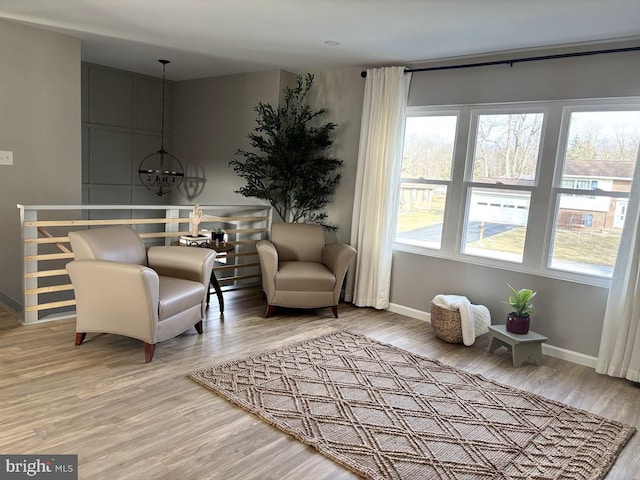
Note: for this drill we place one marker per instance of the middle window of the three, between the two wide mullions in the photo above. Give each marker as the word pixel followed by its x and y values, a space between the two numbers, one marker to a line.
pixel 504 165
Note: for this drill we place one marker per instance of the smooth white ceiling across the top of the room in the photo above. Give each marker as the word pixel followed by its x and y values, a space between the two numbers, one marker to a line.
pixel 205 38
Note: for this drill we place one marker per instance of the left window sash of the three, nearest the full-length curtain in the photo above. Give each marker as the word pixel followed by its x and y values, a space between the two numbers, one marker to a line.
pixel 426 169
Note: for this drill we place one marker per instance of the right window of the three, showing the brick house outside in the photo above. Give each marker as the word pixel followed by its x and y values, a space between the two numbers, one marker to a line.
pixel 599 155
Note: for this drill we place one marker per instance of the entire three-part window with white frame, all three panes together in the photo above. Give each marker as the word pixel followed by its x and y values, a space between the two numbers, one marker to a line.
pixel 541 187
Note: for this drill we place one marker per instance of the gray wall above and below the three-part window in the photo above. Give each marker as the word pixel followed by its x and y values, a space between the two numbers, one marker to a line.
pixel 569 313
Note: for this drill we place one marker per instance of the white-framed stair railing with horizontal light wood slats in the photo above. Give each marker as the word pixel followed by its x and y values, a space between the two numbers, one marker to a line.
pixel 47 291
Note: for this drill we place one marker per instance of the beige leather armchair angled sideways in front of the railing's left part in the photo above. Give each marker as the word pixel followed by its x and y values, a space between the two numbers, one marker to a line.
pixel 123 288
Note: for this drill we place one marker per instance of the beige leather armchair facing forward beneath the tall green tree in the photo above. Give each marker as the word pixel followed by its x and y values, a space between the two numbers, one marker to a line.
pixel 299 270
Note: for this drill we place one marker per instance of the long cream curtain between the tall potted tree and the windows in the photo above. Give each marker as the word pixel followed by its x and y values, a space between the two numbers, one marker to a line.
pixel 375 198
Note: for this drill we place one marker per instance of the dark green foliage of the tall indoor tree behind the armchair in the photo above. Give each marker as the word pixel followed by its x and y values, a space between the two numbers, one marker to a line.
pixel 288 165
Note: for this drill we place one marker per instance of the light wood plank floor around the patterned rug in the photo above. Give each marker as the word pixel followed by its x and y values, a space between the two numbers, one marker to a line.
pixel 129 420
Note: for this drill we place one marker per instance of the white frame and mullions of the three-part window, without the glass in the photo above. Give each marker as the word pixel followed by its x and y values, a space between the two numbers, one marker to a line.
pixel 542 209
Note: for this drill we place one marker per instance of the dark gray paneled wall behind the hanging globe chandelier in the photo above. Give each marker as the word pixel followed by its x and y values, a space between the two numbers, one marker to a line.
pixel 121 124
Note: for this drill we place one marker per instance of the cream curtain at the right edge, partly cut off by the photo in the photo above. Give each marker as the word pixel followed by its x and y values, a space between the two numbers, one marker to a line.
pixel 619 354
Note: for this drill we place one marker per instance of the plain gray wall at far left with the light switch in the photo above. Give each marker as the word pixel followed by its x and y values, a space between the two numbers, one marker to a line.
pixel 40 124
